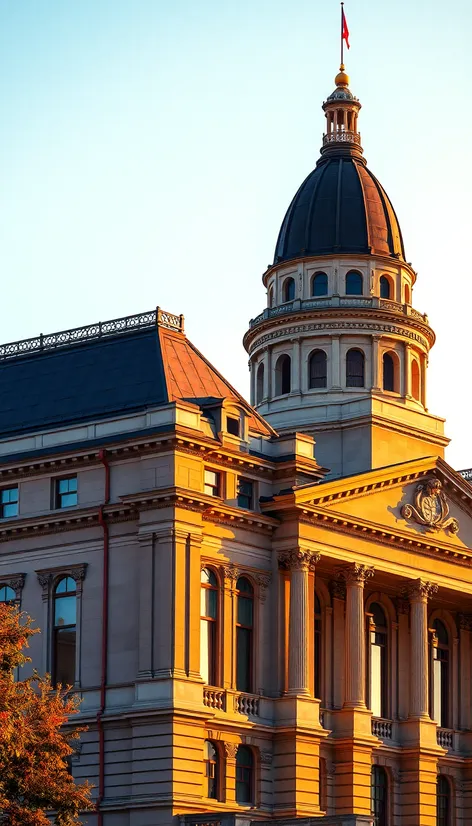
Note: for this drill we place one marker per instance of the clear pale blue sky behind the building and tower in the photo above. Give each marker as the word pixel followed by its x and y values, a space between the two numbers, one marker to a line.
pixel 149 150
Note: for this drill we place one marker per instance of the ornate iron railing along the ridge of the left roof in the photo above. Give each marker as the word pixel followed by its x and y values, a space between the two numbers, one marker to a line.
pixel 102 329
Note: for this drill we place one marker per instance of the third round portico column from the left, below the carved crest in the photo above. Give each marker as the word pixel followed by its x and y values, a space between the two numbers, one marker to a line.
pixel 418 593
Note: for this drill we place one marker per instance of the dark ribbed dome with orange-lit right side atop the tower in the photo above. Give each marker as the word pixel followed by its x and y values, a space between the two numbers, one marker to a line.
pixel 340 208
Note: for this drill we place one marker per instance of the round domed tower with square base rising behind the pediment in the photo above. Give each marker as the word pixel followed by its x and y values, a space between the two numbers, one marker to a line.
pixel 340 352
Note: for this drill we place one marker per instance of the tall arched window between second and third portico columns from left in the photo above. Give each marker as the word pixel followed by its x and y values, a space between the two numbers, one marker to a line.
pixel 378 661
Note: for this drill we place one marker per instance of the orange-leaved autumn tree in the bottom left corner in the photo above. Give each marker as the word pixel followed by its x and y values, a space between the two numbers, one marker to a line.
pixel 35 737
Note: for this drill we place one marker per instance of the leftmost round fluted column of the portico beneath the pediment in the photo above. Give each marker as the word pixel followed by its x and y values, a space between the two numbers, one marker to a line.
pixel 299 562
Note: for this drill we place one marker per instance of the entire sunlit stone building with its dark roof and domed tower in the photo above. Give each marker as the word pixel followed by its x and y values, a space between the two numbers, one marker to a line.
pixel 266 609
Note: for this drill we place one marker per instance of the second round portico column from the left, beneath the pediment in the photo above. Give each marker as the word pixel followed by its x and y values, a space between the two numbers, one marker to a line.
pixel 355 577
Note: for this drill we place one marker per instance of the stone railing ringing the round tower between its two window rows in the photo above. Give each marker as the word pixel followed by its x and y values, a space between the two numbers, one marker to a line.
pixel 360 302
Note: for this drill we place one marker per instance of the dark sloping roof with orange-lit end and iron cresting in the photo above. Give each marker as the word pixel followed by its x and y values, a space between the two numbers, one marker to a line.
pixel 104 370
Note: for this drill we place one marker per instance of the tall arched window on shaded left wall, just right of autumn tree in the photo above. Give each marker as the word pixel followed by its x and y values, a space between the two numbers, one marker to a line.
pixel 65 612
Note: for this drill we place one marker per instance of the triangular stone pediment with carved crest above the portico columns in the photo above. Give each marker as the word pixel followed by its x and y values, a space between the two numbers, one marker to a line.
pixel 424 503
